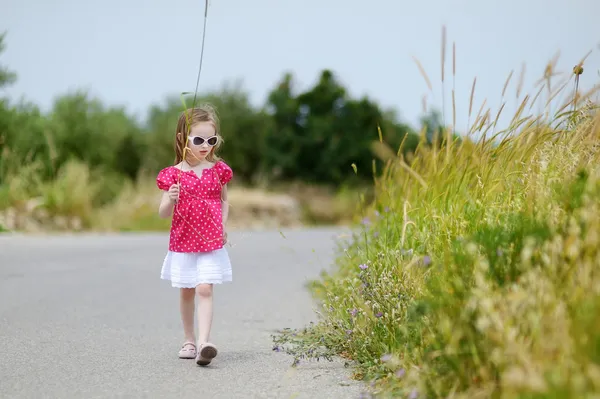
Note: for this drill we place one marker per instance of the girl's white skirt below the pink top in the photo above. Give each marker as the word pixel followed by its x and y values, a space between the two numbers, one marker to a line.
pixel 187 270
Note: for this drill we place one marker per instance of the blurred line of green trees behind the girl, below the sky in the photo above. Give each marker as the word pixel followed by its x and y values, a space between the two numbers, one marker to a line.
pixel 313 135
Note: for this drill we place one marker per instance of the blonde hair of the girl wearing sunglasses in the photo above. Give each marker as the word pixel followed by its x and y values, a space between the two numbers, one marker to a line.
pixel 187 119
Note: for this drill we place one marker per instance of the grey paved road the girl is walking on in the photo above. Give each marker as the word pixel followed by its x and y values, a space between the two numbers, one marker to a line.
pixel 88 317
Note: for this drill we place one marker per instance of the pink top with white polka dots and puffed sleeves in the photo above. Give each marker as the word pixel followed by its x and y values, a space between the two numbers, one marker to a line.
pixel 197 224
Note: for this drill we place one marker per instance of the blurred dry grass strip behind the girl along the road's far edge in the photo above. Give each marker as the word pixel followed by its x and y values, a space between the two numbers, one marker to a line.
pixel 79 198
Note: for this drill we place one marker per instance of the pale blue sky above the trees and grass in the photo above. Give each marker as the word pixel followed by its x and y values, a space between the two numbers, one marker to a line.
pixel 134 52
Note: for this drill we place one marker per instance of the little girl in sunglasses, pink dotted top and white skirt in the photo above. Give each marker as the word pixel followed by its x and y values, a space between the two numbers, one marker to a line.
pixel 195 196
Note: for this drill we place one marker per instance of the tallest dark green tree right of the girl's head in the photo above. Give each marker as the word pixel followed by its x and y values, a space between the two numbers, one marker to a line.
pixel 318 134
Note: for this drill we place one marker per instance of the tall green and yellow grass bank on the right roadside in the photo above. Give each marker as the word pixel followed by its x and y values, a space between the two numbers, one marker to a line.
pixel 477 271
